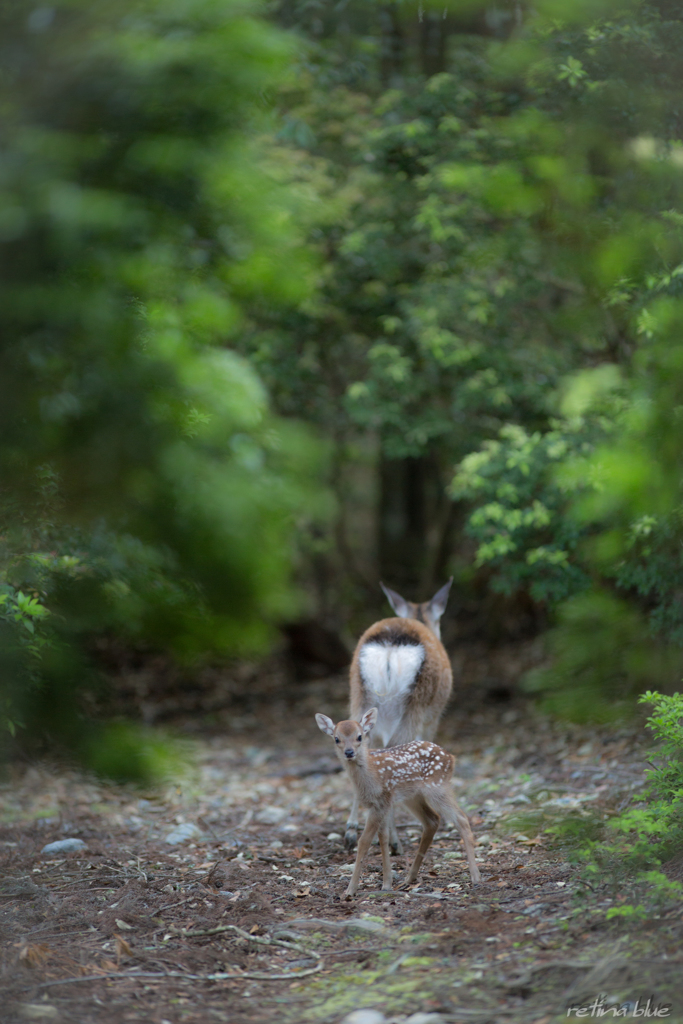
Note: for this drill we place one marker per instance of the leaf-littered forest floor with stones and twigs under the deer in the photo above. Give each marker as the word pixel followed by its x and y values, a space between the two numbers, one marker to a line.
pixel 245 921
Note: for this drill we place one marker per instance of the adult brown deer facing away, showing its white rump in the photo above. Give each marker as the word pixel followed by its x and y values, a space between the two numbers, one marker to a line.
pixel 401 667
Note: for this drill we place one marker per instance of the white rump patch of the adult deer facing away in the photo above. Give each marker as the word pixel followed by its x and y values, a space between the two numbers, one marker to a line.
pixel 389 673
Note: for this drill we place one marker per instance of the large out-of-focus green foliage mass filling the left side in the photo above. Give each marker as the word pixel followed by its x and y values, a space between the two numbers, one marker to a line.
pixel 147 488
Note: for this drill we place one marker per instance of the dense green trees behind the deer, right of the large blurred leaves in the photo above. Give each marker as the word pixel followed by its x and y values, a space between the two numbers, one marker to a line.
pixel 501 241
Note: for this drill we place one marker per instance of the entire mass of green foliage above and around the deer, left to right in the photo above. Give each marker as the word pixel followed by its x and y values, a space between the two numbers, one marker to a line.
pixel 454 250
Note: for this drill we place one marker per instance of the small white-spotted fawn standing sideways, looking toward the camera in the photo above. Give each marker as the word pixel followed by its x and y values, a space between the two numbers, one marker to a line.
pixel 418 774
